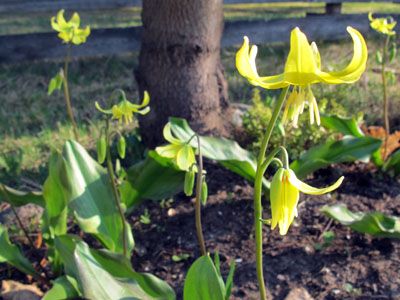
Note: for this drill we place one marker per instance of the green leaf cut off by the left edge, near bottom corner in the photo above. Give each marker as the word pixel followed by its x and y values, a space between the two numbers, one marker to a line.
pixel 11 254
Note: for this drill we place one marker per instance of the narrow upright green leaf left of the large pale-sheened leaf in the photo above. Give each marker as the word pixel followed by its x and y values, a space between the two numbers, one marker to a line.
pixel 56 213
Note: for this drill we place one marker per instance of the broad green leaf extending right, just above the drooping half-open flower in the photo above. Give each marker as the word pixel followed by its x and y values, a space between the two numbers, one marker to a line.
pixel 348 149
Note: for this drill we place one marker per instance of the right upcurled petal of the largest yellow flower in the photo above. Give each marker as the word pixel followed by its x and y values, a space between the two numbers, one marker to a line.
pixel 357 65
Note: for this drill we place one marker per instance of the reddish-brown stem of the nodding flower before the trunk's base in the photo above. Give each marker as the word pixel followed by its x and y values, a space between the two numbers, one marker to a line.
pixel 199 179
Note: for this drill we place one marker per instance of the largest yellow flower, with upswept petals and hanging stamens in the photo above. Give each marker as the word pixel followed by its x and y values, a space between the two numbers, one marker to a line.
pixel 302 68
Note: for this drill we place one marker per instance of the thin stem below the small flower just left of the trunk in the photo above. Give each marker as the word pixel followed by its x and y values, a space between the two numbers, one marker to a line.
pixel 114 187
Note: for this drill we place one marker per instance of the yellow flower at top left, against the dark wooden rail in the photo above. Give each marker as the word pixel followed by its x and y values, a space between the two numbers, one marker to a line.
pixel 70 31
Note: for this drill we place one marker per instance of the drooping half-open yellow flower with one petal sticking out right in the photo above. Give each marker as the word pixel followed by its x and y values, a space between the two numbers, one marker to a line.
pixel 284 196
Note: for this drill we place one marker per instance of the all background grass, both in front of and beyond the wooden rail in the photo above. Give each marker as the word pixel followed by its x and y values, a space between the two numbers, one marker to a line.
pixel 32 123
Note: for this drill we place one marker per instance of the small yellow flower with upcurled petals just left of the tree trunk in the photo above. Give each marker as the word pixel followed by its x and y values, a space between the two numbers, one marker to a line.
pixel 124 110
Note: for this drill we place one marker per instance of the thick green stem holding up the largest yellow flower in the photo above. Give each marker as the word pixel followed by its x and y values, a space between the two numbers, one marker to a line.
pixel 258 193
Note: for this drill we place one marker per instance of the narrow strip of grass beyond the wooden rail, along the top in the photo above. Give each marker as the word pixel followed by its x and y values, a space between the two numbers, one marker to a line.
pixel 127 17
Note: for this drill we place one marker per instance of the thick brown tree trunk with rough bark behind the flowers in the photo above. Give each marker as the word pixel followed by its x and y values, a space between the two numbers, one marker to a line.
pixel 180 66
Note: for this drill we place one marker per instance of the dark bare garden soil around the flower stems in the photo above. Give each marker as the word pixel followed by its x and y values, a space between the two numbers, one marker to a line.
pixel 353 266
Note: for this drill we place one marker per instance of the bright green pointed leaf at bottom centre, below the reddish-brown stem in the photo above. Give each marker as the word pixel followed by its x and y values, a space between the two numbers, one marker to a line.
pixel 203 282
